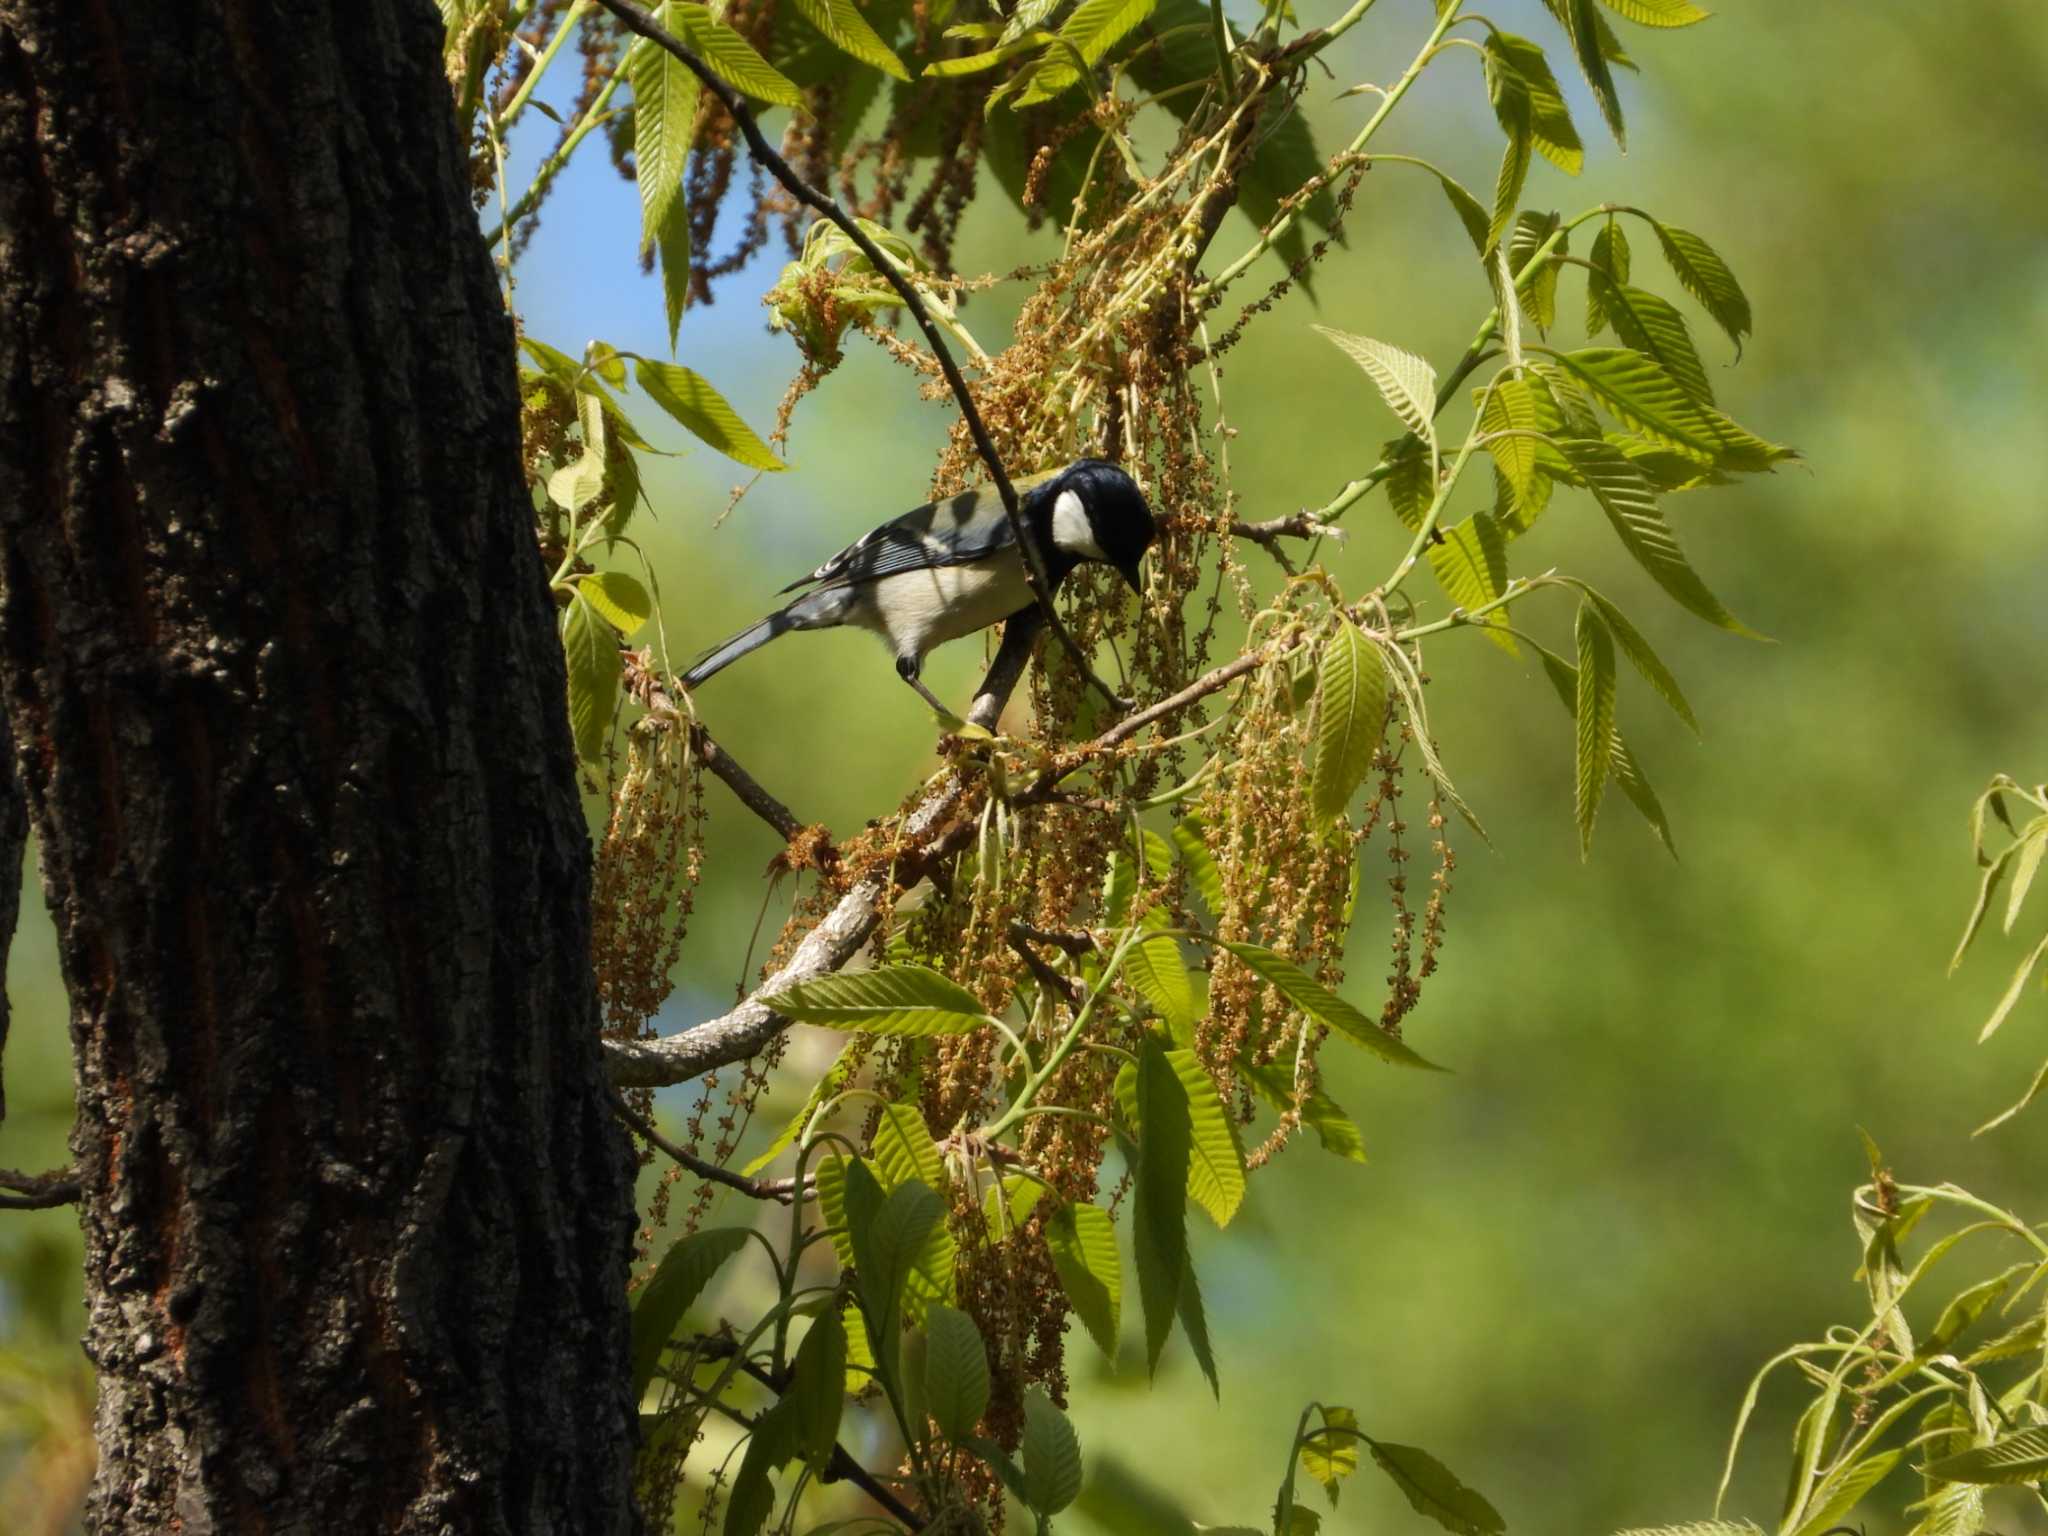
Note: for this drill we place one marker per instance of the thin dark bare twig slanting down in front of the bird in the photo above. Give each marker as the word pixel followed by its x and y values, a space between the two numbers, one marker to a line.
pixel 1041 583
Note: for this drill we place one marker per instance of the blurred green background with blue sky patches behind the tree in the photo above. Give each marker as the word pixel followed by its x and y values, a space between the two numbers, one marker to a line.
pixel 1564 1263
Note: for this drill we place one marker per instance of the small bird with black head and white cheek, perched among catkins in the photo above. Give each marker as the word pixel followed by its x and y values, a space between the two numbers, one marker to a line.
pixel 951 568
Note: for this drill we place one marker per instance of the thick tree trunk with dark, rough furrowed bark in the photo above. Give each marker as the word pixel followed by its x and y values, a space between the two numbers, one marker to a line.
pixel 280 660
